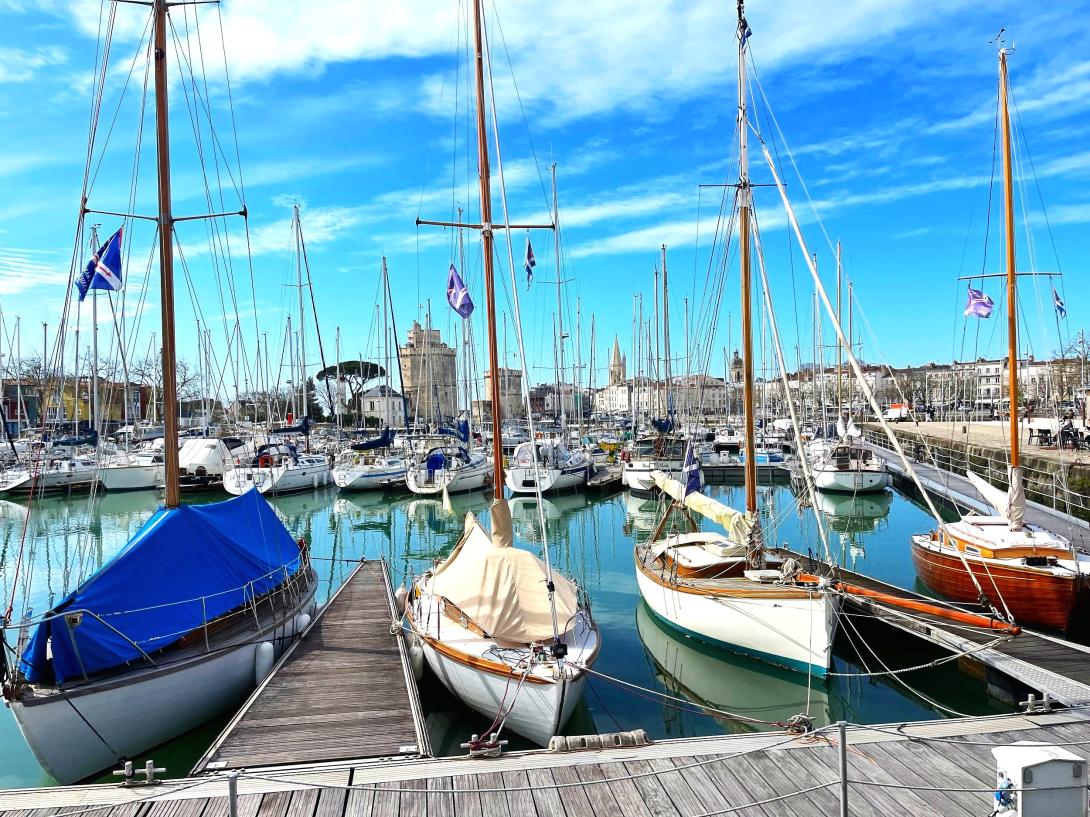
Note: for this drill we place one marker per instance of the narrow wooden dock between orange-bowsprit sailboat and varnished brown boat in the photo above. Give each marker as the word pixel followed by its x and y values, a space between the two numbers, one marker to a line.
pixel 1044 663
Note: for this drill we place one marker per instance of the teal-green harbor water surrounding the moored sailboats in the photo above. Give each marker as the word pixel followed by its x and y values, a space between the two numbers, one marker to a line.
pixel 66 540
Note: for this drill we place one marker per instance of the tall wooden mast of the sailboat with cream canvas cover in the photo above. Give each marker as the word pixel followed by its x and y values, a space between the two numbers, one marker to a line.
pixel 487 247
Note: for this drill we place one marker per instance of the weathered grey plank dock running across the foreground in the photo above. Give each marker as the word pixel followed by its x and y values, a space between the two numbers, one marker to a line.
pixel 939 767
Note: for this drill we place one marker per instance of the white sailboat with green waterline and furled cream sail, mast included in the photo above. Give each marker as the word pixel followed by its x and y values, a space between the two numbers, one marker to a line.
pixel 728 590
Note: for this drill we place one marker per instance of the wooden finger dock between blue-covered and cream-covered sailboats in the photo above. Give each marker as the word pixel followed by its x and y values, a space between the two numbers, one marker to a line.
pixel 345 691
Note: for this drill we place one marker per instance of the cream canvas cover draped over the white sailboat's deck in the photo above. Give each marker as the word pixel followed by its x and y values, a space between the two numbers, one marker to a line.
pixel 501 588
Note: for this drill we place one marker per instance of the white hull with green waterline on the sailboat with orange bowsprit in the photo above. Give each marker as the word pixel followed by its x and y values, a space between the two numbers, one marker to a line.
pixel 794 633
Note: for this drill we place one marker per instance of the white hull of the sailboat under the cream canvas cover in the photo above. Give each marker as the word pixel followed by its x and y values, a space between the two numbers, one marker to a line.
pixel 540 711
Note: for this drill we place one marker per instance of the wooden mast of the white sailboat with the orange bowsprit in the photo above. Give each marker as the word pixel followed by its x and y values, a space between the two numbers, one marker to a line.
pixel 745 200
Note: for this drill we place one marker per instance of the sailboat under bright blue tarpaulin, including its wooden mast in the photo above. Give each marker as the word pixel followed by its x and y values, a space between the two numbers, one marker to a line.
pixel 186 619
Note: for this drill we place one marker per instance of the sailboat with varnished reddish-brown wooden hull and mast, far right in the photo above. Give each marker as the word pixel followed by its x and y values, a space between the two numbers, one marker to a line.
pixel 1033 575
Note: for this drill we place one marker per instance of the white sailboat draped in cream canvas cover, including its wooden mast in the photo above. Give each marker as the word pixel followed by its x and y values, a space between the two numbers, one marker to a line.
pixel 503 632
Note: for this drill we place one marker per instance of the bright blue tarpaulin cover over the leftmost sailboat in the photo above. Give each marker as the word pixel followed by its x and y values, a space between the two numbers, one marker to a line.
pixel 151 593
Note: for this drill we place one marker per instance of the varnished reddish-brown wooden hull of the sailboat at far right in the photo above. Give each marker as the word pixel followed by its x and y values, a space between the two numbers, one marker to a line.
pixel 1034 596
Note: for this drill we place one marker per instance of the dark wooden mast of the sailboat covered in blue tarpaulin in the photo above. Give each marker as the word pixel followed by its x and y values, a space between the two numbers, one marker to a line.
pixel 166 259
